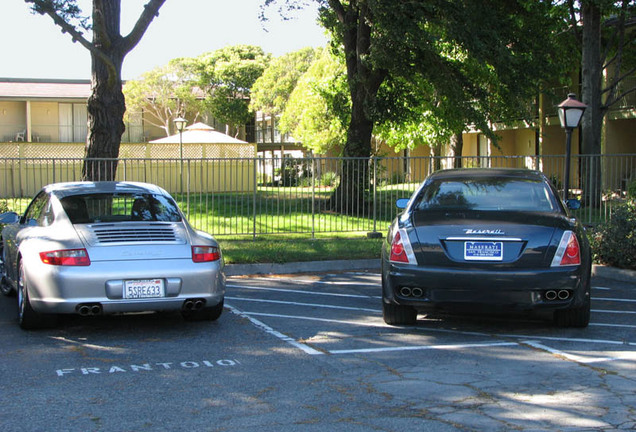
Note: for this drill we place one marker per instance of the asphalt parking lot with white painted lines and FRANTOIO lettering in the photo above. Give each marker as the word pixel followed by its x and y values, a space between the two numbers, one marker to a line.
pixel 311 352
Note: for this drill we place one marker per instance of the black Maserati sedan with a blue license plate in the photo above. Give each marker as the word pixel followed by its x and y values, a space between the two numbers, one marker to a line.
pixel 492 239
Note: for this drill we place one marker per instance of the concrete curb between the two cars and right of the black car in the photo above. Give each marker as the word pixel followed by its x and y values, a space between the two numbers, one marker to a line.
pixel 628 276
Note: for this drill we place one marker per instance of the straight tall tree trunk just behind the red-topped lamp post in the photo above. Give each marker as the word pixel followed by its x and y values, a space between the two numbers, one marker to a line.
pixel 592 124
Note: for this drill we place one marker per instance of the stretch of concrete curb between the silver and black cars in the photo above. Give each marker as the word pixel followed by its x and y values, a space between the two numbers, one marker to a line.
pixel 301 267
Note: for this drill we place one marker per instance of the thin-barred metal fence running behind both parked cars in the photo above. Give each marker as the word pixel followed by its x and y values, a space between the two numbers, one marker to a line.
pixel 265 196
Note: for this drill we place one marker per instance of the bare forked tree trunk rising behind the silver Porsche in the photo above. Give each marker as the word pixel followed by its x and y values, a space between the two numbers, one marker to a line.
pixel 108 48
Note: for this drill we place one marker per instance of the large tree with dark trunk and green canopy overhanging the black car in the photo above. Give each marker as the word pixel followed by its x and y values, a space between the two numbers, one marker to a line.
pixel 448 45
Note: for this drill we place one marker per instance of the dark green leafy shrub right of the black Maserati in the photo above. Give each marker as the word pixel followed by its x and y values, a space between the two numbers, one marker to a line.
pixel 614 241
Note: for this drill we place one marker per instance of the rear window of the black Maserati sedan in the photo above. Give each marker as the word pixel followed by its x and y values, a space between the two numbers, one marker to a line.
pixel 487 194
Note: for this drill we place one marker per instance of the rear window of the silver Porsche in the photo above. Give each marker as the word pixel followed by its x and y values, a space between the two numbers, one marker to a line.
pixel 121 207
